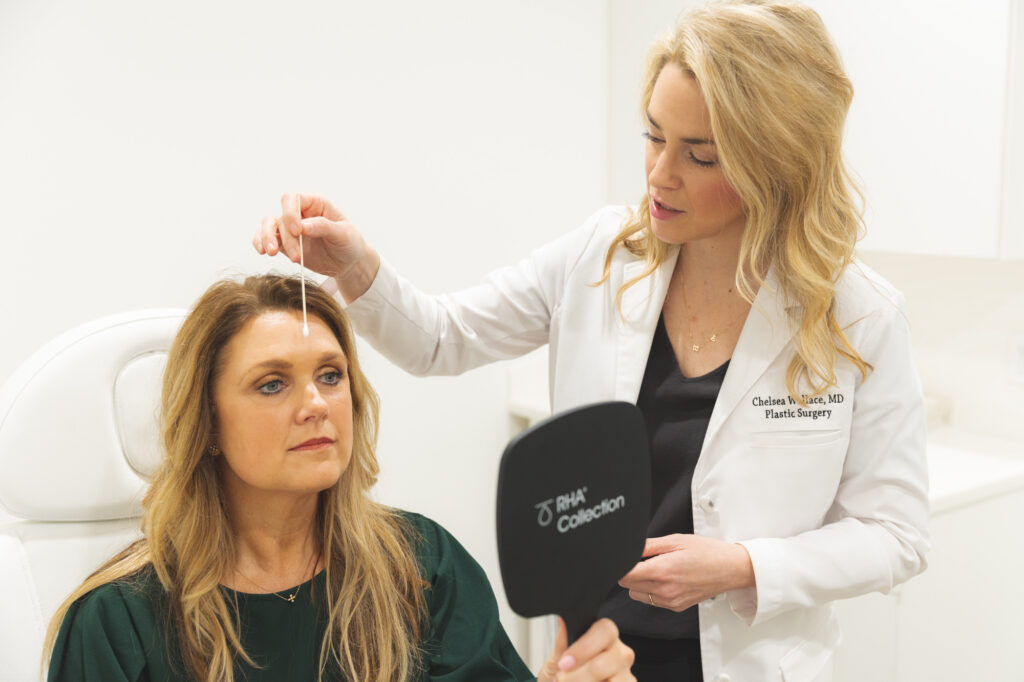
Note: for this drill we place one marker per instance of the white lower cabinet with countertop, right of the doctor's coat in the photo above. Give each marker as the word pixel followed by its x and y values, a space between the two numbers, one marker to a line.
pixel 961 619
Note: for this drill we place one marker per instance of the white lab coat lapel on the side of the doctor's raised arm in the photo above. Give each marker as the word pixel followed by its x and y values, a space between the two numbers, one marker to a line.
pixel 642 309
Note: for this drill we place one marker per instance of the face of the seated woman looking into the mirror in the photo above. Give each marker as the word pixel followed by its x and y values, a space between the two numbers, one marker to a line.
pixel 284 407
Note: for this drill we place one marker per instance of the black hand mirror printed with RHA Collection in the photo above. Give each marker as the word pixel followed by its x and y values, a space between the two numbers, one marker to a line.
pixel 574 503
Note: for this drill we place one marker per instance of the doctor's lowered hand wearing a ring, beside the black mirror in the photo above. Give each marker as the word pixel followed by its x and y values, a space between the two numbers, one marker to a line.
pixel 681 571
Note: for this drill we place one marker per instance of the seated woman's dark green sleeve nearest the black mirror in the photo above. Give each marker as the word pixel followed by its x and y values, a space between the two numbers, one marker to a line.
pixel 465 641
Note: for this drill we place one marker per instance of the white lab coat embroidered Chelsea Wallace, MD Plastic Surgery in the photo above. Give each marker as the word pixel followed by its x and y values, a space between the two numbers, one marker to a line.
pixel 830 502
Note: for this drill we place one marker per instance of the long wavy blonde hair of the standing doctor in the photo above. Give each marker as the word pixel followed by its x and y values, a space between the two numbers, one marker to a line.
pixel 778 97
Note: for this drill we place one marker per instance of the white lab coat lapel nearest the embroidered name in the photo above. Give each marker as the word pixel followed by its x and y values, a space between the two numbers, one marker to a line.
pixel 767 331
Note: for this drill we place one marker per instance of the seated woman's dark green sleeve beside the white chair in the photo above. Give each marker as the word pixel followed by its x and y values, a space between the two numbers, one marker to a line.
pixel 98 642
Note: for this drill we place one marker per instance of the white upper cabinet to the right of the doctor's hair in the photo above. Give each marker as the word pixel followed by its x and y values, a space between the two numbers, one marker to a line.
pixel 929 127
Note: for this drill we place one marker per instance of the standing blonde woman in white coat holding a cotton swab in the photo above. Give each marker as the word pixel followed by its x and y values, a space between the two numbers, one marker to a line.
pixel 775 371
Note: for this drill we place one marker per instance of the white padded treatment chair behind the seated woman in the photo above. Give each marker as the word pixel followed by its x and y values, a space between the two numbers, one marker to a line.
pixel 78 438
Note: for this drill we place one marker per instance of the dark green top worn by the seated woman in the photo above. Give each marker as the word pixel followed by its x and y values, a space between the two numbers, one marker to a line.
pixel 118 632
